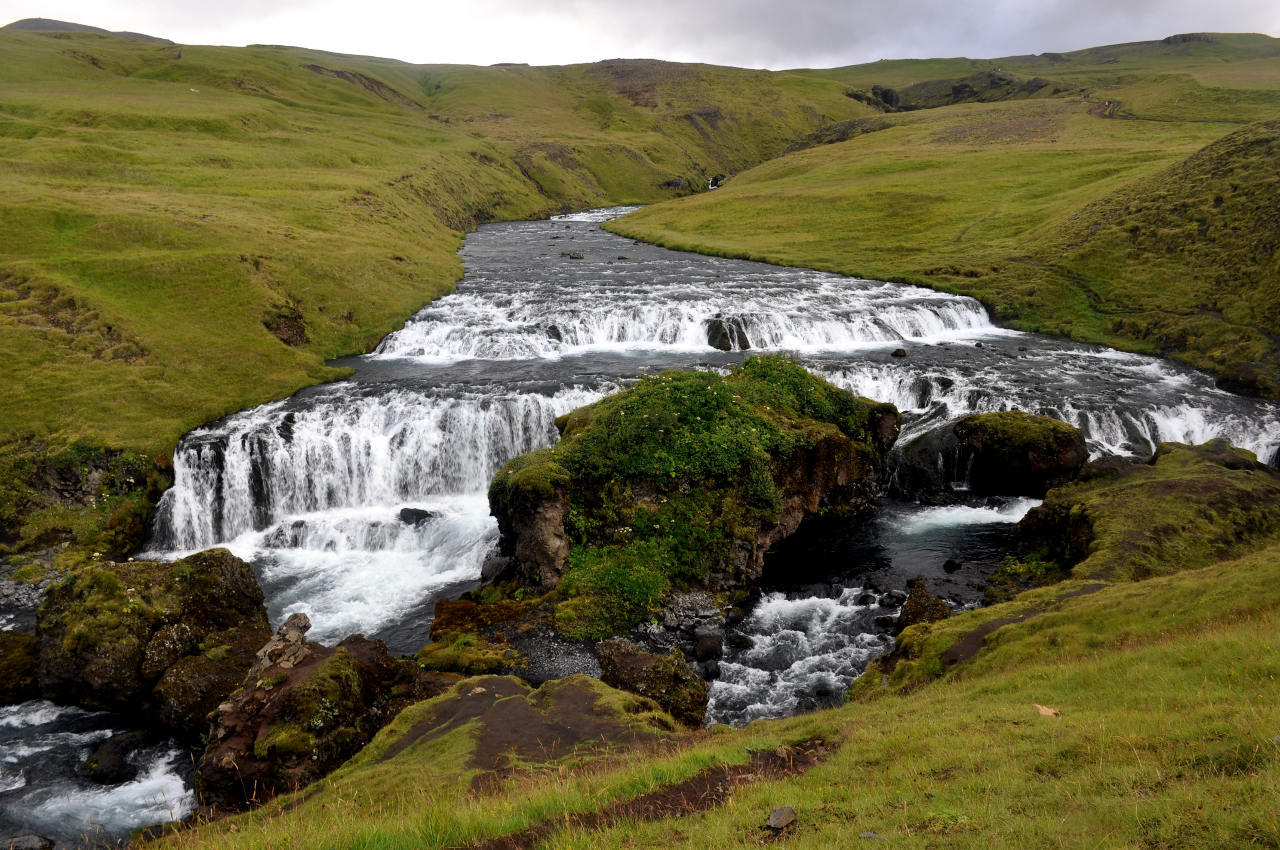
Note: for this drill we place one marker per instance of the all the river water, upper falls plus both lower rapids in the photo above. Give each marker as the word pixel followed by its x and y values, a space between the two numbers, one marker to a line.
pixel 364 501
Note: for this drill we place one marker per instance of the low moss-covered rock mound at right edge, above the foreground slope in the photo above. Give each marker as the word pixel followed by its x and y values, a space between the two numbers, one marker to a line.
pixel 1186 509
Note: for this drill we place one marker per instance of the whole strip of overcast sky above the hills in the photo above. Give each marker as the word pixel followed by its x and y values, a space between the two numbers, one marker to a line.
pixel 755 34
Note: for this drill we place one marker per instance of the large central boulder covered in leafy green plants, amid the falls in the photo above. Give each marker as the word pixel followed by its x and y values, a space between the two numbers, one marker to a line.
pixel 685 479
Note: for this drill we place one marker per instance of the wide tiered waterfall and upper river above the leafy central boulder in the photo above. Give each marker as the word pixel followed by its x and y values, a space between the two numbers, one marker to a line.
pixel 362 501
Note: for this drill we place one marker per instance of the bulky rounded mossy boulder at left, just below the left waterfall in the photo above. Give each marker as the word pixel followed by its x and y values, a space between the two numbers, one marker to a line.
pixel 164 642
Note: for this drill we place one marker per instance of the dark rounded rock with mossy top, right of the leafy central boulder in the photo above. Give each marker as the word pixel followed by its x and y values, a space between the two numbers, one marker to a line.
pixel 1005 454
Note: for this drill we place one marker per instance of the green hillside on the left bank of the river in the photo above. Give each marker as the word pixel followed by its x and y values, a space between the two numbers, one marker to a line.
pixel 162 205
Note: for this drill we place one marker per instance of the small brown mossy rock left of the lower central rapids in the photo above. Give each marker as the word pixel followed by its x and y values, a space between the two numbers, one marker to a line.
pixel 666 680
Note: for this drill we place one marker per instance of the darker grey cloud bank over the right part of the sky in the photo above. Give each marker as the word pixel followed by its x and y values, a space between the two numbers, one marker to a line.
pixel 824 33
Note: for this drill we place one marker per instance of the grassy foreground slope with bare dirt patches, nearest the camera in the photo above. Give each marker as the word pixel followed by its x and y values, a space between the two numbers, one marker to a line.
pixel 1167 738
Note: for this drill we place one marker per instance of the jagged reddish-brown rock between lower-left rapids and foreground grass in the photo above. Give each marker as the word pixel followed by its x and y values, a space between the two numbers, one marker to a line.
pixel 303 711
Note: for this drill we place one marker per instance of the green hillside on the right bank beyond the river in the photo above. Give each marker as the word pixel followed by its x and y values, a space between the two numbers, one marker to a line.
pixel 1146 225
